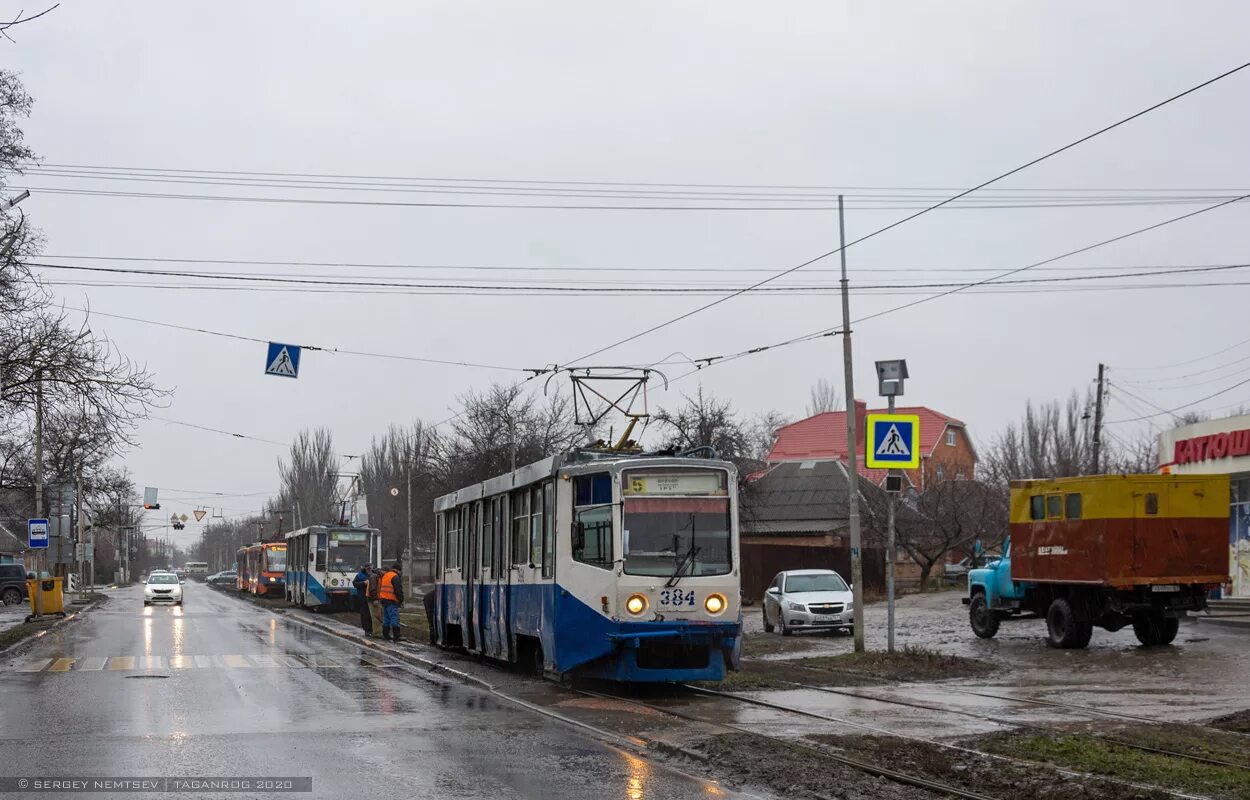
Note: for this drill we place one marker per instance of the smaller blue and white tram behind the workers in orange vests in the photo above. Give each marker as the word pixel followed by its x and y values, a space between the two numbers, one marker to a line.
pixel 323 559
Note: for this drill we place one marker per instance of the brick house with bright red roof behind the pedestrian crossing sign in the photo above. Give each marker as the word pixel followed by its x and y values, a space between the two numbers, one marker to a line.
pixel 946 448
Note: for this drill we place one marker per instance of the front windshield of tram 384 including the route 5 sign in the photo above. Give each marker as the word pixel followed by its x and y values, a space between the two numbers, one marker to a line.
pixel 672 536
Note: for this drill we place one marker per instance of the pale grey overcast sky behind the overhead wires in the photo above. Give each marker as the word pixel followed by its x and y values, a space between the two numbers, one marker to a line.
pixel 773 94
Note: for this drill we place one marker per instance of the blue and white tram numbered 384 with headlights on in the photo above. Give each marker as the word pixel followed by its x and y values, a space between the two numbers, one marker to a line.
pixel 596 563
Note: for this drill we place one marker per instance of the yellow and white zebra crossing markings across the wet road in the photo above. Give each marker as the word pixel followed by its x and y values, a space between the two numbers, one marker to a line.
pixel 231 662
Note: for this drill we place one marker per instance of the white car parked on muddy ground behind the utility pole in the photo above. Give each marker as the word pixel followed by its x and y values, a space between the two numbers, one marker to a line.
pixel 807 601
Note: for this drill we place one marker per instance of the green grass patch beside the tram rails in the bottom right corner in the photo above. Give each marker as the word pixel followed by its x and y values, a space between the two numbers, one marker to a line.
pixel 1091 754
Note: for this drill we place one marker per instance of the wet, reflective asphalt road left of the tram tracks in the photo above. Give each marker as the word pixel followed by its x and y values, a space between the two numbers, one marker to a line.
pixel 221 688
